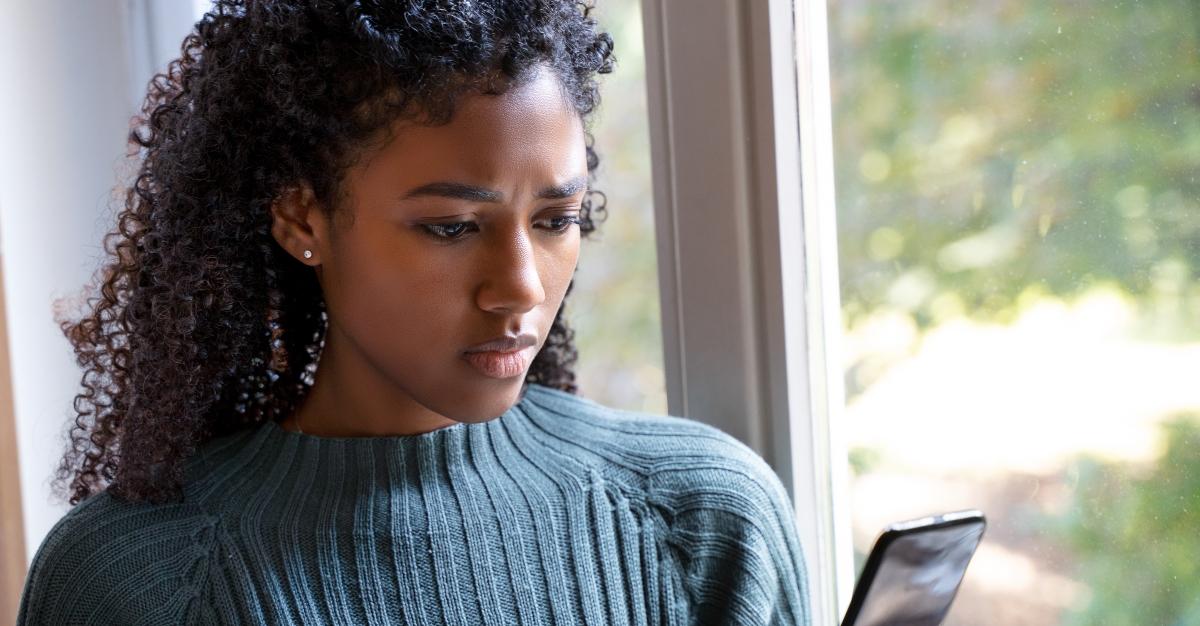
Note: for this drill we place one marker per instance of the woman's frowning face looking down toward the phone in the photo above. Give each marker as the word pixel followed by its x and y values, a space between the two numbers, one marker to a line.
pixel 454 236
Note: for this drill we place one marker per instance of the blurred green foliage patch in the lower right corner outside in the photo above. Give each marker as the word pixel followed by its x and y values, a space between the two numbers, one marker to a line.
pixel 1136 533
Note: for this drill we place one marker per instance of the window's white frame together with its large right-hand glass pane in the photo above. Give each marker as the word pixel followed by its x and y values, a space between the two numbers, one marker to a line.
pixel 1009 280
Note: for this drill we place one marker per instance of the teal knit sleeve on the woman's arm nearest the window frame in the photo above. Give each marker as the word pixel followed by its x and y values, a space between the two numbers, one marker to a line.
pixel 734 539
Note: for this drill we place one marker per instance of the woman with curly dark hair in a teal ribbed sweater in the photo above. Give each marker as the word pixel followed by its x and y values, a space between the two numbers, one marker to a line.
pixel 328 380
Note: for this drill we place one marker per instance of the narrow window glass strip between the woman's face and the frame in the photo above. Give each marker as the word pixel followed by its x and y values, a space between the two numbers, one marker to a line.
pixel 615 305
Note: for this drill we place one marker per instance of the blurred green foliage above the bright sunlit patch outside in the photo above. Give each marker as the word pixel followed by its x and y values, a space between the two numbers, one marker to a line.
pixel 991 149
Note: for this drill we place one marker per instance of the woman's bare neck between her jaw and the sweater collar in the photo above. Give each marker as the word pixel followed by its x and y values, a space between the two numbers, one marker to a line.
pixel 351 398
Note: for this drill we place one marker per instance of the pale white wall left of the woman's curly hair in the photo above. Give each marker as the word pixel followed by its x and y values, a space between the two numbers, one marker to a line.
pixel 71 74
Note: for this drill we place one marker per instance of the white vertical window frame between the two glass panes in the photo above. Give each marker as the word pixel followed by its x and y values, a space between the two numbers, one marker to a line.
pixel 741 141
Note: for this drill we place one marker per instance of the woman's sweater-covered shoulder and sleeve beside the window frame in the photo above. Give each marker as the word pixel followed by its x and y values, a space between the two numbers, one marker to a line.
pixel 729 526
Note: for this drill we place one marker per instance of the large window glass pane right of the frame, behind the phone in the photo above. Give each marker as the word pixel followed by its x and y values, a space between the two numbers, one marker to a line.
pixel 1019 231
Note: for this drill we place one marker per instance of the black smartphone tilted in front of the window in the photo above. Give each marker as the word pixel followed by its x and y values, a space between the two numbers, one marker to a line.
pixel 915 570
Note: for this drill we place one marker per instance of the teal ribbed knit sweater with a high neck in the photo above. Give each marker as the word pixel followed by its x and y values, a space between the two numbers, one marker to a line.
pixel 559 513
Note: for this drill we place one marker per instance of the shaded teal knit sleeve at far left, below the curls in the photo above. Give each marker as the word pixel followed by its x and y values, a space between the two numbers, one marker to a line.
pixel 109 562
